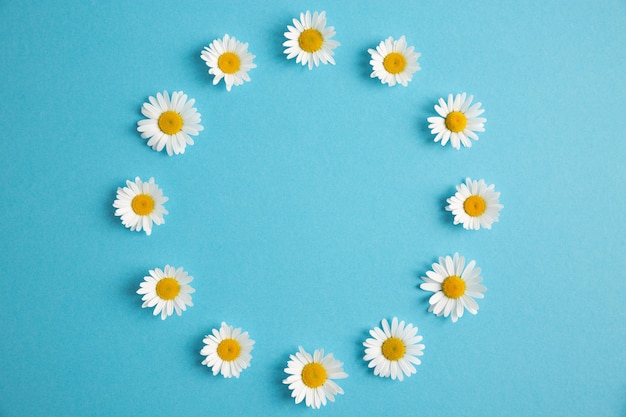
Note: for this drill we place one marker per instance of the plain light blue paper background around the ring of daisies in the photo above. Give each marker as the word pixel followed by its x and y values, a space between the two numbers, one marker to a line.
pixel 311 205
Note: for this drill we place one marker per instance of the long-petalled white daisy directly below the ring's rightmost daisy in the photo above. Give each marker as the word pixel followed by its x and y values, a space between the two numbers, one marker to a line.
pixel 455 287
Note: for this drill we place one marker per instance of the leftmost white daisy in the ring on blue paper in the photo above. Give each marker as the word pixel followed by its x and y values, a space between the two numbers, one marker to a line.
pixel 139 204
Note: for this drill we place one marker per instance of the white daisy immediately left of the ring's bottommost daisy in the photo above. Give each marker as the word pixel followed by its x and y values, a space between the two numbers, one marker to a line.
pixel 227 351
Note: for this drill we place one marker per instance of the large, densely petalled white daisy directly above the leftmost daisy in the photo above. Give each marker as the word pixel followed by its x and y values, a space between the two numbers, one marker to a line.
pixel 169 122
